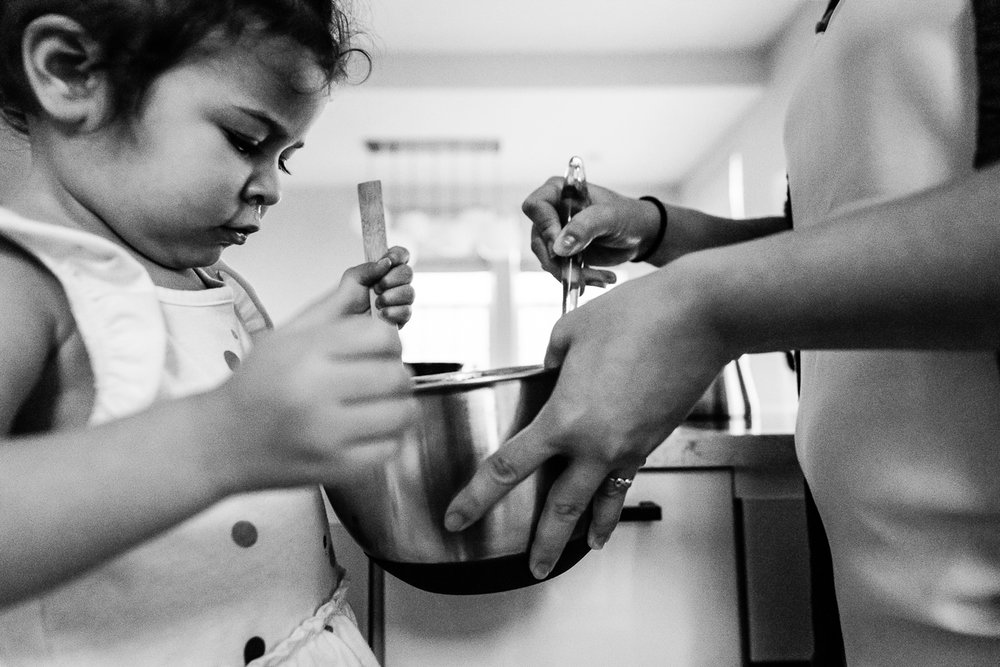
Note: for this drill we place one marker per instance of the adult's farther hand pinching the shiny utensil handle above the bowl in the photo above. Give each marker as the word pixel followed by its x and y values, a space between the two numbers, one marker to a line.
pixel 612 230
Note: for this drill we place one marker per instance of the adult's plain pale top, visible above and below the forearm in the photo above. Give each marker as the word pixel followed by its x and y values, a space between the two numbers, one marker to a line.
pixel 901 449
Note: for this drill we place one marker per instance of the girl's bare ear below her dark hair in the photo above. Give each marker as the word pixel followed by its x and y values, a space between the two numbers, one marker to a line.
pixel 61 61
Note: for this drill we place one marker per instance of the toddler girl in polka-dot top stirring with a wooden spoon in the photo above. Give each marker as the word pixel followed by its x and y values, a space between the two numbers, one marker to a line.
pixel 160 485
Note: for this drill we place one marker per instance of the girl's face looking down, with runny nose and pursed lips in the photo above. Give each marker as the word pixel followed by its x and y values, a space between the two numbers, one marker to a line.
pixel 182 181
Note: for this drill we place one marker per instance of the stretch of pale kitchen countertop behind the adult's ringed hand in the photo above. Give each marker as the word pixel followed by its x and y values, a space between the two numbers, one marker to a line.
pixel 761 443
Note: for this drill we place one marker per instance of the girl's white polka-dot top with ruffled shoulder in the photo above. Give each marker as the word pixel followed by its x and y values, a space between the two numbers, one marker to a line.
pixel 233 582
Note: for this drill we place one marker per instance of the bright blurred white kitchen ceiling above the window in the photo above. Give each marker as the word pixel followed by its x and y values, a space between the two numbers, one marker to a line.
pixel 641 89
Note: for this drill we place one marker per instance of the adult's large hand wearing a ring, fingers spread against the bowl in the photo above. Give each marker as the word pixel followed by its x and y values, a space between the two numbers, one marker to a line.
pixel 621 390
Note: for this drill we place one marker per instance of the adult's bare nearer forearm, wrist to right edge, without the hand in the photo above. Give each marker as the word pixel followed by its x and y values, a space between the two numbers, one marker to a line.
pixel 918 272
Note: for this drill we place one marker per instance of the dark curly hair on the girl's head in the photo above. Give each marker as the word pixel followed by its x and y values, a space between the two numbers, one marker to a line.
pixel 141 39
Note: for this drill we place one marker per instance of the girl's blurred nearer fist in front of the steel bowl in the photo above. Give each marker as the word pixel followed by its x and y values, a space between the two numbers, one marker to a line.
pixel 317 401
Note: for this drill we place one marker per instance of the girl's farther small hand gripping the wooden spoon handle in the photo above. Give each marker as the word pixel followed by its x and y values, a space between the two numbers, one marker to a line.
pixel 390 278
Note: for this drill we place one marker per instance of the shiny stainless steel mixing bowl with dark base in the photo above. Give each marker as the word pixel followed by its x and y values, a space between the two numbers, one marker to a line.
pixel 395 511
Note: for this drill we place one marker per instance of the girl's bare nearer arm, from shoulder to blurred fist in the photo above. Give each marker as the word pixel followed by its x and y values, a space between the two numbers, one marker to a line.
pixel 313 400
